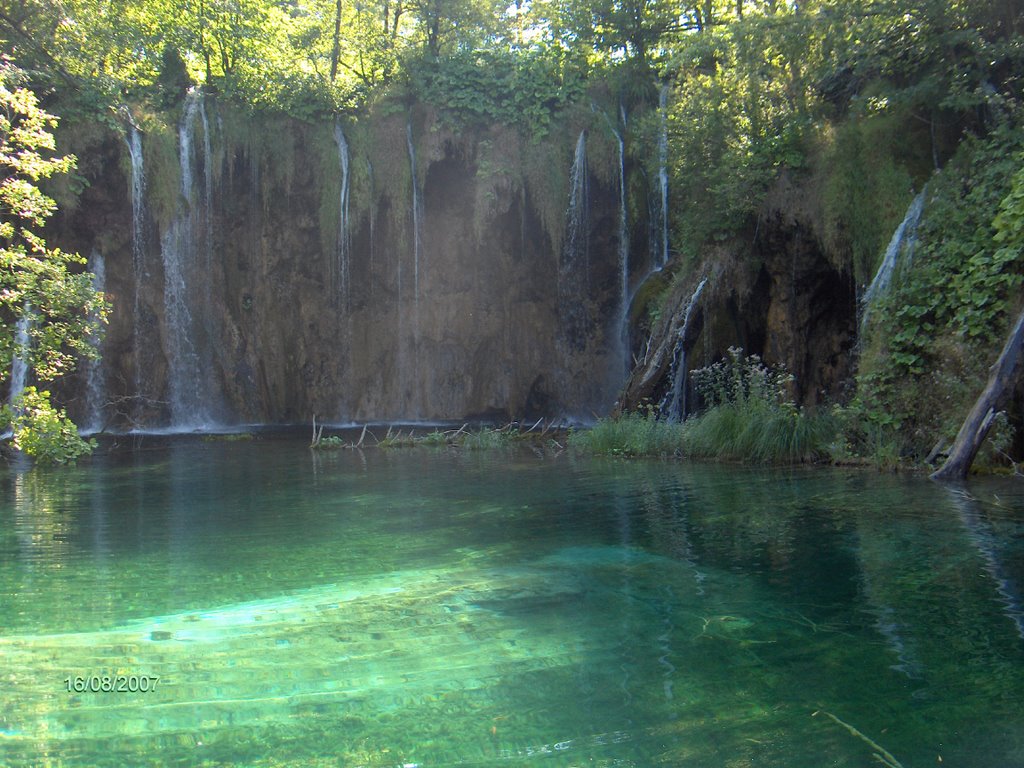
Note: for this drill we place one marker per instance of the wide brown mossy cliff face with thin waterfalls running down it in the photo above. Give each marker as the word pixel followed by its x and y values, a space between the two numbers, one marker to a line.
pixel 257 295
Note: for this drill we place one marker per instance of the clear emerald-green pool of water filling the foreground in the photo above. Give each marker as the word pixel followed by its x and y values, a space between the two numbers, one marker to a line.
pixel 431 609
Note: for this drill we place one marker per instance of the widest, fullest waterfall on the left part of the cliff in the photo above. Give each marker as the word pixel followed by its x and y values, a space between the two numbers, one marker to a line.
pixel 188 281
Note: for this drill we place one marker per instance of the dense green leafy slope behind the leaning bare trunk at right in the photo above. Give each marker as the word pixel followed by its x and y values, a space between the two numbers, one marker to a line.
pixel 930 344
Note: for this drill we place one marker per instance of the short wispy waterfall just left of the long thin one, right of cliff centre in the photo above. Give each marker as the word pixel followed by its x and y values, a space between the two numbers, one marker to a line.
pixel 574 278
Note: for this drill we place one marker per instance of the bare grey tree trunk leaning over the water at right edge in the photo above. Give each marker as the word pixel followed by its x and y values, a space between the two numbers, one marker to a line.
pixel 976 425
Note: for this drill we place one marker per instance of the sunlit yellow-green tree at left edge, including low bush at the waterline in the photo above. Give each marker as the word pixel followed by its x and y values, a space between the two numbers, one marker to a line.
pixel 35 280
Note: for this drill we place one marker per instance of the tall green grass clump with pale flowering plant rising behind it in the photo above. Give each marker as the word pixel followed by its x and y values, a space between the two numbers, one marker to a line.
pixel 751 416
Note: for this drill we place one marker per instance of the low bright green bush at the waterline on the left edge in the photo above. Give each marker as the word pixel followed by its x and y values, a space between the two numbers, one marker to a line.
pixel 44 433
